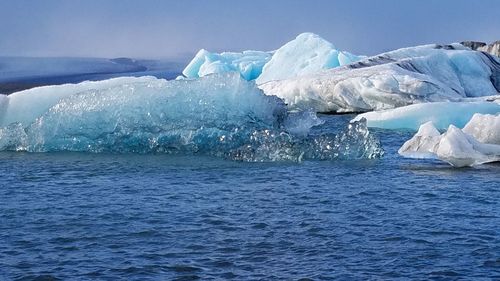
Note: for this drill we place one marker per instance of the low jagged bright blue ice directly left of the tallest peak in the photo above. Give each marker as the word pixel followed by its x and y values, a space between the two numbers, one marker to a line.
pixel 248 63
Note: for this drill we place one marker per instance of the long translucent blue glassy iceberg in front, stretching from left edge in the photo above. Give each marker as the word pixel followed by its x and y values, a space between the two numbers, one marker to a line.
pixel 221 115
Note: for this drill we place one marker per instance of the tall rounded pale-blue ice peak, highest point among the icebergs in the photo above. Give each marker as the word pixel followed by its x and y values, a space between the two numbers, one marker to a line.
pixel 306 54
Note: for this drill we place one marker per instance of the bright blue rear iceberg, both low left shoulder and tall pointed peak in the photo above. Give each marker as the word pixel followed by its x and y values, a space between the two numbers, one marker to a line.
pixel 306 54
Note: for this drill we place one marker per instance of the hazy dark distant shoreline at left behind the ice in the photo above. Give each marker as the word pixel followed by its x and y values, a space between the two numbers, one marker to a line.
pixel 22 73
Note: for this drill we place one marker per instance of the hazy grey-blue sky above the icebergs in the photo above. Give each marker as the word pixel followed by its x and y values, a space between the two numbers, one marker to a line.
pixel 177 29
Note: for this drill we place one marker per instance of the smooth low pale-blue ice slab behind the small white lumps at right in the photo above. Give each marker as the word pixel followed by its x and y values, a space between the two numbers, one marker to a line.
pixel 441 114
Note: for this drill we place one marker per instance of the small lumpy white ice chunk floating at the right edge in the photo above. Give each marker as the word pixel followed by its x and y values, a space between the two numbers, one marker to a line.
pixel 477 143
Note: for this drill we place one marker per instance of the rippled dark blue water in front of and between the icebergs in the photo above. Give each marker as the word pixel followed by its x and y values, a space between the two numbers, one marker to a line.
pixel 73 216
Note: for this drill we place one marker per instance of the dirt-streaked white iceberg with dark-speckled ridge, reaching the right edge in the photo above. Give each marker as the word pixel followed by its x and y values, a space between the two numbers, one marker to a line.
pixel 429 73
